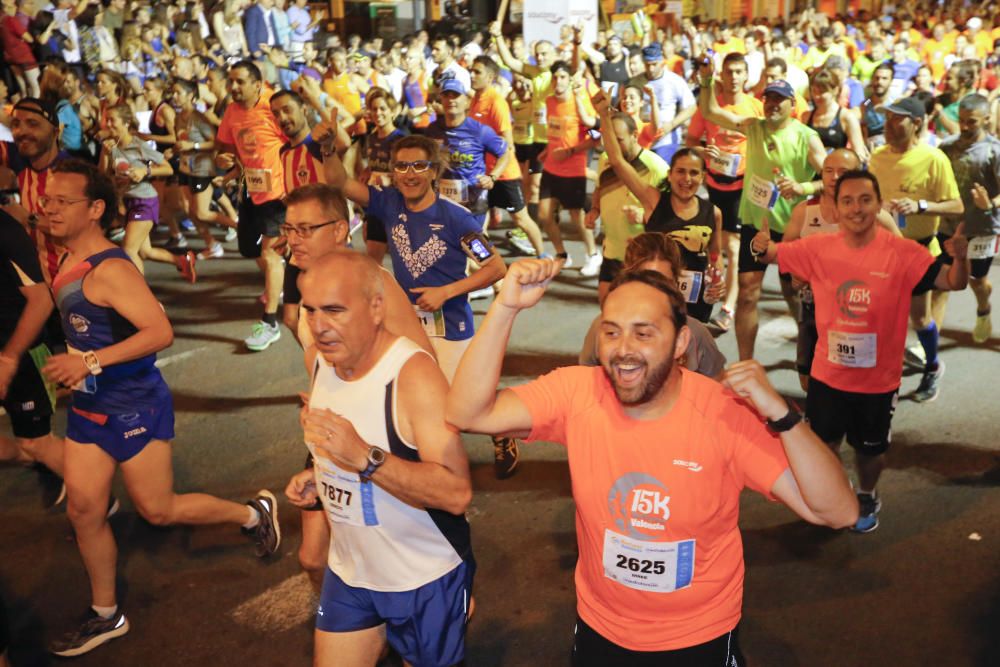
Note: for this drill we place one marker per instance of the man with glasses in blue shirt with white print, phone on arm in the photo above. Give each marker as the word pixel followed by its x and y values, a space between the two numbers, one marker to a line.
pixel 428 240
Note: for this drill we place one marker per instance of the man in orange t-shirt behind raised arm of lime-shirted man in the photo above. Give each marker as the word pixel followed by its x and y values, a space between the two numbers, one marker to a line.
pixel 725 158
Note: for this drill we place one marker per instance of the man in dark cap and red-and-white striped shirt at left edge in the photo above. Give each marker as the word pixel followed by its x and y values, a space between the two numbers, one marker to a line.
pixel 35 128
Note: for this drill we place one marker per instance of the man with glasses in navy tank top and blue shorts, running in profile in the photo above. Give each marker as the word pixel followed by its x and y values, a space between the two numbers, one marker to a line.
pixel 122 411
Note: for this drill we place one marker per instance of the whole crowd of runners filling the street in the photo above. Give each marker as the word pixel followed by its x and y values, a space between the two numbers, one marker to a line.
pixel 858 153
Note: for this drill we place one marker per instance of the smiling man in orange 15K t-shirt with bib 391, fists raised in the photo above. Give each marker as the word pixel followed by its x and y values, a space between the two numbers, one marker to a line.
pixel 861 279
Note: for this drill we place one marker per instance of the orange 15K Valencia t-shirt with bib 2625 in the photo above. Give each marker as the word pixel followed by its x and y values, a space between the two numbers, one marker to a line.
pixel 657 503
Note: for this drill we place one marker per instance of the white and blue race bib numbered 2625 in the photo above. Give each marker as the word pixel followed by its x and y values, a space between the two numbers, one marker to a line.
pixel 658 567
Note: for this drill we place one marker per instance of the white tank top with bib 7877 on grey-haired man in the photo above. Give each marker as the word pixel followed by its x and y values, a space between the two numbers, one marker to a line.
pixel 377 541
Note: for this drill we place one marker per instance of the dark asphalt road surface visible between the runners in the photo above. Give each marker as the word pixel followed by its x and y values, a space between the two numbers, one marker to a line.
pixel 921 590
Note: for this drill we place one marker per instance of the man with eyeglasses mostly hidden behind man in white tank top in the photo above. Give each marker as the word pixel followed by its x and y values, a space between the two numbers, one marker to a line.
pixel 310 240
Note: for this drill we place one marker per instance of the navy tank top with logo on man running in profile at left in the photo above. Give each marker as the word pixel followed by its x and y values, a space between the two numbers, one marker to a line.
pixel 120 388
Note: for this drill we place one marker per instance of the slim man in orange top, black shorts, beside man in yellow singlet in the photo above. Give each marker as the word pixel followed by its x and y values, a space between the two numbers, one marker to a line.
pixel 569 115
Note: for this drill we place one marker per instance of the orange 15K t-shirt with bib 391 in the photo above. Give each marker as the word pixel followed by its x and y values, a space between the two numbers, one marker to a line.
pixel 862 305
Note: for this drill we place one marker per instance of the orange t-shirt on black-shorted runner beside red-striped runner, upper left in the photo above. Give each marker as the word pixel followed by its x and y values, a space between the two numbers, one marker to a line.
pixel 258 141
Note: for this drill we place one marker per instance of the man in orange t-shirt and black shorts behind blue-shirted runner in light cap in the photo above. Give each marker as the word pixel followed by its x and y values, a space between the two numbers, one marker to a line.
pixel 490 108
